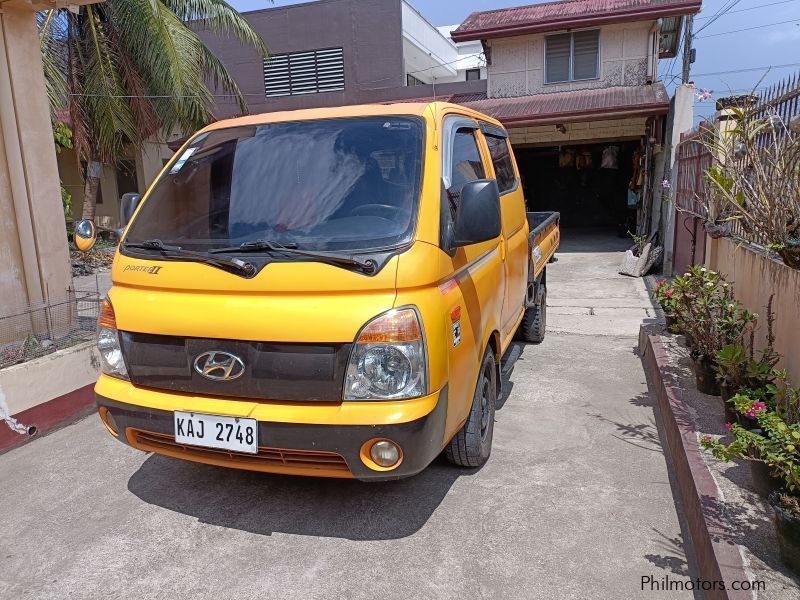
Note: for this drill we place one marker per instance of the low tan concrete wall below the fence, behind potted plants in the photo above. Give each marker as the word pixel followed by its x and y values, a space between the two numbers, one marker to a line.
pixel 756 276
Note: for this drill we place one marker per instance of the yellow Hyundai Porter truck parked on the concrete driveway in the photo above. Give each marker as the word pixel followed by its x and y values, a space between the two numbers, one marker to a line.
pixel 323 292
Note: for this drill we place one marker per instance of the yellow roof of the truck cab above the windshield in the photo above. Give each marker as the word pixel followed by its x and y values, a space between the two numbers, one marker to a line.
pixel 357 110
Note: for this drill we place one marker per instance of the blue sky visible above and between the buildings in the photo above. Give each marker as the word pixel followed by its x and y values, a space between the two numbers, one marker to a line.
pixel 720 46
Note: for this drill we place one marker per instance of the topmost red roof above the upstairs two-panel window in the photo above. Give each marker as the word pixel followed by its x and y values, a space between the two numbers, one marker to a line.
pixel 566 14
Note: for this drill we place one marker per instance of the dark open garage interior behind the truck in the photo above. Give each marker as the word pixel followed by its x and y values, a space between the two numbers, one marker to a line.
pixel 588 184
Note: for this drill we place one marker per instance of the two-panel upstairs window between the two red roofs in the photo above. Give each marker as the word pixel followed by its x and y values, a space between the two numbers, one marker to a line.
pixel 572 56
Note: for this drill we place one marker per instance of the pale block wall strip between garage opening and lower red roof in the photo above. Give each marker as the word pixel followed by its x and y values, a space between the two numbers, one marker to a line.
pixel 589 131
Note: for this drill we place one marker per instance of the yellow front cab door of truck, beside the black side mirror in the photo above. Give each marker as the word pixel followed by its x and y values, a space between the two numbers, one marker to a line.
pixel 474 287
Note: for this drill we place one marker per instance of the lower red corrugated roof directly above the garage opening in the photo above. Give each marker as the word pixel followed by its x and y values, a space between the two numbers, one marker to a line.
pixel 564 107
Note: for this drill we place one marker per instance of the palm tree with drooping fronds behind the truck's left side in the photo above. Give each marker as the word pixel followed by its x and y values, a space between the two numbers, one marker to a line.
pixel 126 70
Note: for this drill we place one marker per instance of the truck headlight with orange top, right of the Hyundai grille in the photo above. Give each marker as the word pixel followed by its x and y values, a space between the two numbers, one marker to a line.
pixel 388 360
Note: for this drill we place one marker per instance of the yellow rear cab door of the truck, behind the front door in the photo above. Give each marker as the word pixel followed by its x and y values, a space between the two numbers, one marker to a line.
pixel 514 244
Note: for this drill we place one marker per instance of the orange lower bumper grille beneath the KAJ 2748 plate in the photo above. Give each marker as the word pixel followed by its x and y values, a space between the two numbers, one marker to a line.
pixel 273 460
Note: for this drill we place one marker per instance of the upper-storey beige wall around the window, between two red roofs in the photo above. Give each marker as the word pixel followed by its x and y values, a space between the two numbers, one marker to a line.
pixel 517 63
